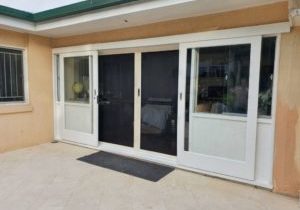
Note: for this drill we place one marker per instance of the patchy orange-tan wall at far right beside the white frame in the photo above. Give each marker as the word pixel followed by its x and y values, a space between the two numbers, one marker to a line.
pixel 287 134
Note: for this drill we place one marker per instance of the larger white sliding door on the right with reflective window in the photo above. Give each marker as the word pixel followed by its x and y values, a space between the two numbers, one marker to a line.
pixel 219 82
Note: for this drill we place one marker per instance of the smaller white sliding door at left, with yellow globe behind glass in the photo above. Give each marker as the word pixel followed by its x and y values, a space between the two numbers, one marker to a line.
pixel 79 97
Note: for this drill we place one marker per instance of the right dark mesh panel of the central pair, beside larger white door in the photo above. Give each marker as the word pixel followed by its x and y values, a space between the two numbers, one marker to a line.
pixel 159 101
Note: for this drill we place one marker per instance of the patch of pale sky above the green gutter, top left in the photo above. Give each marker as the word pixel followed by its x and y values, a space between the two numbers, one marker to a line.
pixel 35 6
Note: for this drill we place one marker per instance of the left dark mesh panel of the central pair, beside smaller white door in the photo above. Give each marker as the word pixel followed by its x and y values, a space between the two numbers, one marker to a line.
pixel 116 99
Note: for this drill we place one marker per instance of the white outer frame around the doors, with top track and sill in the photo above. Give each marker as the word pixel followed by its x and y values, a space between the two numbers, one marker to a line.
pixel 264 179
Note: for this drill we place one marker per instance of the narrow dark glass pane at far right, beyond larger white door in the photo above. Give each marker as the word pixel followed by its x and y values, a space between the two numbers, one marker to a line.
pixel 266 77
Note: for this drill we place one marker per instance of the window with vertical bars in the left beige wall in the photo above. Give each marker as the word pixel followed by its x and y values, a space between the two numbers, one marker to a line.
pixel 11 75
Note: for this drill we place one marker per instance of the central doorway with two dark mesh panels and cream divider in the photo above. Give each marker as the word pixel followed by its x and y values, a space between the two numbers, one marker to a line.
pixel 141 87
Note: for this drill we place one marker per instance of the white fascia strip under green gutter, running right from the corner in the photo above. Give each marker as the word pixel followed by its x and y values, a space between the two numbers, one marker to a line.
pixel 119 11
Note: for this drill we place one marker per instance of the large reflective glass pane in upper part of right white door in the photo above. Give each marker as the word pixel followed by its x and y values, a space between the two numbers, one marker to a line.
pixel 222 79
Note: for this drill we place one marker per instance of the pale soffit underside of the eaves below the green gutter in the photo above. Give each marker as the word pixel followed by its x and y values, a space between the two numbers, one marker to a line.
pixel 139 13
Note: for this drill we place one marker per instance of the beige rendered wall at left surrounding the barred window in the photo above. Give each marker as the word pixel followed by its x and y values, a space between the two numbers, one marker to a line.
pixel 26 125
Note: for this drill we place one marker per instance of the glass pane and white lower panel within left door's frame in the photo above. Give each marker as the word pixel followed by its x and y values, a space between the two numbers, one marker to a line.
pixel 78 114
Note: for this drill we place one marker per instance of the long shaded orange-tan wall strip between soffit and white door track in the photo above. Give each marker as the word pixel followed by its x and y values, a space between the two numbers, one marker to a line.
pixel 272 13
